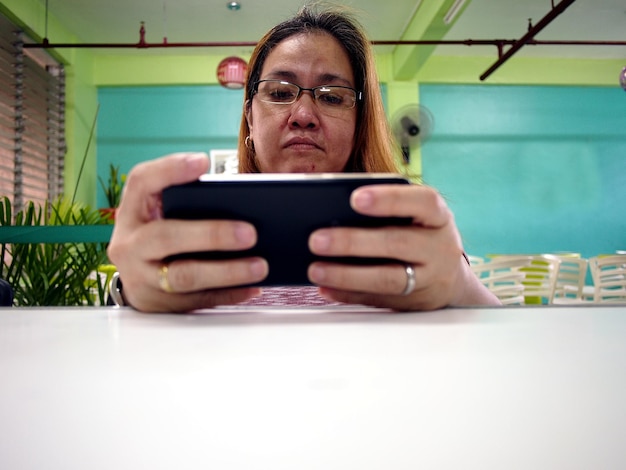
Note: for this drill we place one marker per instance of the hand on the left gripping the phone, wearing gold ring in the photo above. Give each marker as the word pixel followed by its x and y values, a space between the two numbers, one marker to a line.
pixel 142 239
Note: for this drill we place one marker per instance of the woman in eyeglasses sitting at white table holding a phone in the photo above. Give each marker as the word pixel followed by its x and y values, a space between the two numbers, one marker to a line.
pixel 312 104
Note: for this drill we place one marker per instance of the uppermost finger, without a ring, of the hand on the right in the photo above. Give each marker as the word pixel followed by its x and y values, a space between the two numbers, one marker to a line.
pixel 423 204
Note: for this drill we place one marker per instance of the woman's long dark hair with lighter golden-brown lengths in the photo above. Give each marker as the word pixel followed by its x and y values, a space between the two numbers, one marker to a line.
pixel 373 143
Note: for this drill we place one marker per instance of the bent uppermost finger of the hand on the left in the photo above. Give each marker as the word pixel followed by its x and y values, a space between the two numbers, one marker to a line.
pixel 146 181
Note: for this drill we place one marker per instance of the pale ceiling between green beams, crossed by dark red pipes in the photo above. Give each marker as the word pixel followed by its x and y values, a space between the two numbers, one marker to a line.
pixel 118 21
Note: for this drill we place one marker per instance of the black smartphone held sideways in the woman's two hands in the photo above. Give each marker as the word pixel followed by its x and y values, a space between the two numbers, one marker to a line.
pixel 285 209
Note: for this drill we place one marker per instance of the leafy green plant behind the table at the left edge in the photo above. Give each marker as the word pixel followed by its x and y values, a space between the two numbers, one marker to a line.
pixel 53 274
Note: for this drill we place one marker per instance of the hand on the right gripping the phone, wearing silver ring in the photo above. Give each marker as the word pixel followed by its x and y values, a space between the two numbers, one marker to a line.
pixel 431 245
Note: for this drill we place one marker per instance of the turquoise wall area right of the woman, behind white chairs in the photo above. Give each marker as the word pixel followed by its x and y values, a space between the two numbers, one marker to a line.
pixel 530 169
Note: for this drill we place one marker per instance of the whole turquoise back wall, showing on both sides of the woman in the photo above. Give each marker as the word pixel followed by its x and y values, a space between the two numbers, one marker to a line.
pixel 525 169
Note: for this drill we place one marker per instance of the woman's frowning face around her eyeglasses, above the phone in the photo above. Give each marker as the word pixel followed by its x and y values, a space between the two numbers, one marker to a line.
pixel 304 136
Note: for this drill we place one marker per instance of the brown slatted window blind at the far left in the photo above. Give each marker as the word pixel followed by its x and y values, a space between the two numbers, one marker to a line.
pixel 32 121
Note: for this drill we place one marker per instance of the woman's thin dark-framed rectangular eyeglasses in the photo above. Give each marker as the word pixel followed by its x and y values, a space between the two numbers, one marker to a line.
pixel 329 97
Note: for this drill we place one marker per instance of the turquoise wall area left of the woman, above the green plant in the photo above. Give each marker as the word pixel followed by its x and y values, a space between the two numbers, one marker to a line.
pixel 136 124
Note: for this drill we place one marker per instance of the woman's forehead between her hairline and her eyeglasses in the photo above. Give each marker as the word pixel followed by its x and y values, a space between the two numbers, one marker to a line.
pixel 311 56
